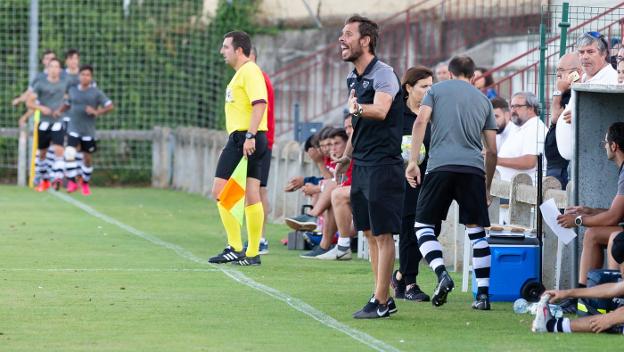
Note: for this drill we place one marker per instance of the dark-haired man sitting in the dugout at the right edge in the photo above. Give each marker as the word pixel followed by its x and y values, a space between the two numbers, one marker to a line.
pixel 600 223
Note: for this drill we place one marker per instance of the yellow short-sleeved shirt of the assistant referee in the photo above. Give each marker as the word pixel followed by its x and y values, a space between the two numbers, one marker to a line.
pixel 246 88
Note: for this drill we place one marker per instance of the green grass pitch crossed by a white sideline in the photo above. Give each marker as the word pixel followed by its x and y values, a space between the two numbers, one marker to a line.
pixel 129 274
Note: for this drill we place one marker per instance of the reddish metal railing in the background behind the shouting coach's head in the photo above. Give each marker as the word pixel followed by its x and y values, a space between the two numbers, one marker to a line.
pixel 425 33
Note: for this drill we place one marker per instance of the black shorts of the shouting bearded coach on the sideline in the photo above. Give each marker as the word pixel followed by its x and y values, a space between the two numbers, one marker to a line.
pixel 377 198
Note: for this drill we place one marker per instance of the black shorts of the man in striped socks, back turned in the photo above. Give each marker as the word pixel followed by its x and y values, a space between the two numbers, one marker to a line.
pixel 438 190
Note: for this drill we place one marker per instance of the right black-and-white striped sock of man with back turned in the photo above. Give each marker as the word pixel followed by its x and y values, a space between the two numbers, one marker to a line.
pixel 481 258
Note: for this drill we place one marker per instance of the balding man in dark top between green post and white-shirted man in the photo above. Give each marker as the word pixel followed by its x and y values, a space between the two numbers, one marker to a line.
pixel 568 71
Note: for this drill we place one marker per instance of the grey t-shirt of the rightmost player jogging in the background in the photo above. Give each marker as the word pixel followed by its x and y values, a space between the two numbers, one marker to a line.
pixel 80 122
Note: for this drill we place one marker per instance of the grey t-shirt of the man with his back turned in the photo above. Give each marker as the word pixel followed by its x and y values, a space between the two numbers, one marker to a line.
pixel 460 113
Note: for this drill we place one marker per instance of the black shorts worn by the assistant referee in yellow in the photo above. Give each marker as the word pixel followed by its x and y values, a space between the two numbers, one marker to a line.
pixel 233 152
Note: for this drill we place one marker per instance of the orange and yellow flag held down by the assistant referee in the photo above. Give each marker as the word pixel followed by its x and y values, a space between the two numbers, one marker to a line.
pixel 232 196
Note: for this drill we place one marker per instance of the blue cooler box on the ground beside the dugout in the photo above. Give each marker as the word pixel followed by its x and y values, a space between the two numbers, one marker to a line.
pixel 515 267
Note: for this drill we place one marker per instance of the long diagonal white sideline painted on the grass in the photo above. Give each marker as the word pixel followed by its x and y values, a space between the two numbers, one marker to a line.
pixel 238 276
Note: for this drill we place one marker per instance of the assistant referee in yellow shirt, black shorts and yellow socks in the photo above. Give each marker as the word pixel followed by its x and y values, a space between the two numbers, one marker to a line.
pixel 246 122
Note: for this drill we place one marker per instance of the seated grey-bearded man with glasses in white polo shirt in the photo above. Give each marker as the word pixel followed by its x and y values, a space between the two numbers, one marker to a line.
pixel 519 152
